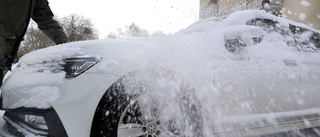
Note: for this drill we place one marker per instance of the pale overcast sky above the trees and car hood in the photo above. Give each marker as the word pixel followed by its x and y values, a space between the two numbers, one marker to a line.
pixel 167 16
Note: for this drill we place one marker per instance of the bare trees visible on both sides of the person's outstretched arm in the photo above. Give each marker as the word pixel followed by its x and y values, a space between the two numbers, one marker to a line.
pixel 77 28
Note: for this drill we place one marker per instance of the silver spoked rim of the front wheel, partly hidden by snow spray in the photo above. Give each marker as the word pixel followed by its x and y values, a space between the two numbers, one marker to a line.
pixel 142 118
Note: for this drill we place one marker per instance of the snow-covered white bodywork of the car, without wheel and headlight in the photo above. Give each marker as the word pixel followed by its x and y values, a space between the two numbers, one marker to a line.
pixel 257 87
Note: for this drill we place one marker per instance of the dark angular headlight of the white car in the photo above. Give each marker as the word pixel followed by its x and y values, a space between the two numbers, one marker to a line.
pixel 74 66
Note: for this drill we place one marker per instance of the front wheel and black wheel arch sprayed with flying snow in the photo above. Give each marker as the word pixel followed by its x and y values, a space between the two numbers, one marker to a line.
pixel 139 106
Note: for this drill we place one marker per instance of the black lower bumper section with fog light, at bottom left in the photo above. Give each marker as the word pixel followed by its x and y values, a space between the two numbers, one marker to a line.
pixel 33 121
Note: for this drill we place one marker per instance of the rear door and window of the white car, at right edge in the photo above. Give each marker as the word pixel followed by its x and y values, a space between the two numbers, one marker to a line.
pixel 307 43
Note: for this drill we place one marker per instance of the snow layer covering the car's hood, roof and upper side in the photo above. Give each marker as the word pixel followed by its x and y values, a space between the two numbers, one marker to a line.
pixel 197 53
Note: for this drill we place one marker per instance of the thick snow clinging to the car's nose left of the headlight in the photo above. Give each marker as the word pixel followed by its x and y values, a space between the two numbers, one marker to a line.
pixel 35 78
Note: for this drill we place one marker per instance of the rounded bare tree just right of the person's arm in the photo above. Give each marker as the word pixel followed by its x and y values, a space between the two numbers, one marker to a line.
pixel 79 28
